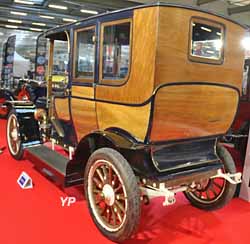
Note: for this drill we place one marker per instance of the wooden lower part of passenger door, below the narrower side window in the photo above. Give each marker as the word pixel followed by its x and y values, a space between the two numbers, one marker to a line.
pixel 83 111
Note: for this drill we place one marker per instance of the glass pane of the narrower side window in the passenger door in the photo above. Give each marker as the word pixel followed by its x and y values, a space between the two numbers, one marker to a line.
pixel 85 53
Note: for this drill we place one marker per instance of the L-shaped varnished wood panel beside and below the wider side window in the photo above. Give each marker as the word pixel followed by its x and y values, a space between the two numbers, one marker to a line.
pixel 139 86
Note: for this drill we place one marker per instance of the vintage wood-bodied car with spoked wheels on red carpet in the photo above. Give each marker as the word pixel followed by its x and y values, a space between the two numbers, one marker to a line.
pixel 150 90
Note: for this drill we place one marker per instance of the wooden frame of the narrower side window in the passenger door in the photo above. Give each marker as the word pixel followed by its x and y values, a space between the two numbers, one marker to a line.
pixel 81 79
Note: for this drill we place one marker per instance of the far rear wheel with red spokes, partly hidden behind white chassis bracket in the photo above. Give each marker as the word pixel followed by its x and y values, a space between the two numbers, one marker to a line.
pixel 224 194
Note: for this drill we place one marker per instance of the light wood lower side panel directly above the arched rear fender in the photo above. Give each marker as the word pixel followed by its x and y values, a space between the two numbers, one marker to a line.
pixel 131 119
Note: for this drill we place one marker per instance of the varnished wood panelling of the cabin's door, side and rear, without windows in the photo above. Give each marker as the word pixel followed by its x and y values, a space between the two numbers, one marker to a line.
pixel 160 48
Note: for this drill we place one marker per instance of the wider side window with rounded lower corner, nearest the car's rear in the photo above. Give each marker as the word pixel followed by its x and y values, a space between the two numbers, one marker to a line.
pixel 115 54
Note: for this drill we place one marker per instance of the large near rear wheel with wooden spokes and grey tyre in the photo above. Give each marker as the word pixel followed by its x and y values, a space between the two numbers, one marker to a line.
pixel 114 168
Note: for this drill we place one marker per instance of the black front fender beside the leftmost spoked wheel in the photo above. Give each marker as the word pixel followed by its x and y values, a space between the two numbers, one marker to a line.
pixel 28 126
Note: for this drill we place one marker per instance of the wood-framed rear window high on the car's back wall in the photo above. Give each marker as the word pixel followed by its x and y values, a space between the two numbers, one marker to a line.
pixel 207 41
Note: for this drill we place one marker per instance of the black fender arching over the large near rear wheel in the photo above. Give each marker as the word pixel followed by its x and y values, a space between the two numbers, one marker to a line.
pixel 136 153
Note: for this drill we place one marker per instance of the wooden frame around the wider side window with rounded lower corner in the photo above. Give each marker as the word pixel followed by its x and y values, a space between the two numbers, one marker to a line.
pixel 115 82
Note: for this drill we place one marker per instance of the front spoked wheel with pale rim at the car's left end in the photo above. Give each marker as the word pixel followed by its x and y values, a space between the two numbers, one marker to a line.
pixel 13 136
